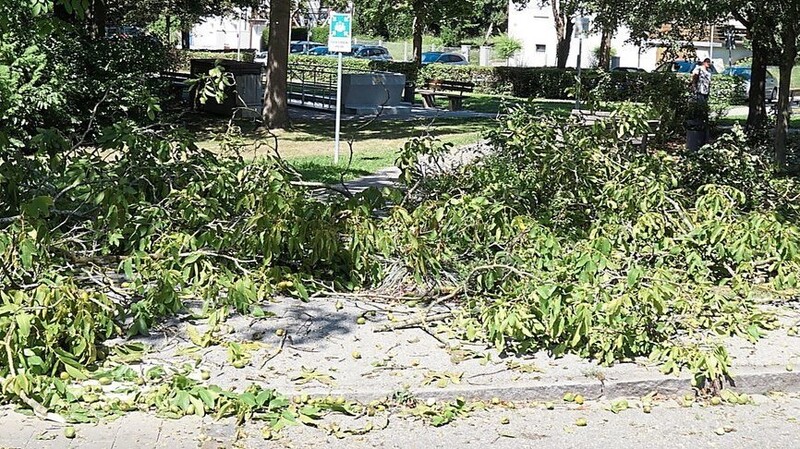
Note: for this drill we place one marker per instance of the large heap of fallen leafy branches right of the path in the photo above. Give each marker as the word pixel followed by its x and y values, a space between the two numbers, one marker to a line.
pixel 629 259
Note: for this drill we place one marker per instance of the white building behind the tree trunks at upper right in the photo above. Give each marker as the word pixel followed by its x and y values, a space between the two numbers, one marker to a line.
pixel 534 27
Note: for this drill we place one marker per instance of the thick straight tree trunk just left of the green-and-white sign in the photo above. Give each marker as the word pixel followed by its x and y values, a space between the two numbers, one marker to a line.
pixel 276 113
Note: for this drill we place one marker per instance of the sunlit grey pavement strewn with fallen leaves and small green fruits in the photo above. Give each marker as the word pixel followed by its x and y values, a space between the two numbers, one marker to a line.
pixel 323 336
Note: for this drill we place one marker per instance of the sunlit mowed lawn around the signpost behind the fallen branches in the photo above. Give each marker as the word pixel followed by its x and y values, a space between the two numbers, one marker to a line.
pixel 309 145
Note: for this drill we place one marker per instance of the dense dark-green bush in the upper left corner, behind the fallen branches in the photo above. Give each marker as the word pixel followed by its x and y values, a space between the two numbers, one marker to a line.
pixel 57 78
